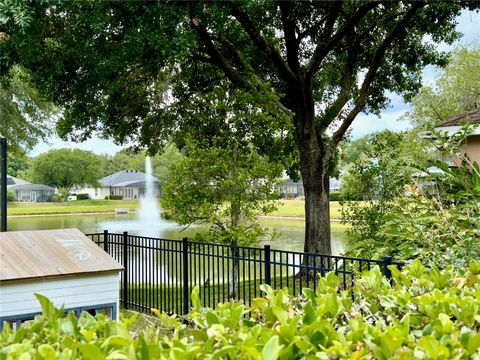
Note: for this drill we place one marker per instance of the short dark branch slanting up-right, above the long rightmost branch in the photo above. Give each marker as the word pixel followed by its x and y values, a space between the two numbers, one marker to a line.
pixel 322 51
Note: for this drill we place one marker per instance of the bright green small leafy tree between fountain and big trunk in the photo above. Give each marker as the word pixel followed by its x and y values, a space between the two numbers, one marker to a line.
pixel 224 188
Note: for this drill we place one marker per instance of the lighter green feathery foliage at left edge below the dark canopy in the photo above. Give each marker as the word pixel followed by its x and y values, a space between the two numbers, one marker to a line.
pixel 24 113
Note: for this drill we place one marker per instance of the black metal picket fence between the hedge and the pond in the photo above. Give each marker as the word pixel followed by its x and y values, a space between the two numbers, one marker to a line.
pixel 161 273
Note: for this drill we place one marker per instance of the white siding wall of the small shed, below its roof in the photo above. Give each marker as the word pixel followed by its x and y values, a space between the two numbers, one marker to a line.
pixel 76 291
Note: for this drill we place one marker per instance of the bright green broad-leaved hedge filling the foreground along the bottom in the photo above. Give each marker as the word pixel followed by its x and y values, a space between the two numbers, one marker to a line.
pixel 427 314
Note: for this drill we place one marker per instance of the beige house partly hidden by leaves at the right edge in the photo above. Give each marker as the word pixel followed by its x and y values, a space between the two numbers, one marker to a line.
pixel 472 146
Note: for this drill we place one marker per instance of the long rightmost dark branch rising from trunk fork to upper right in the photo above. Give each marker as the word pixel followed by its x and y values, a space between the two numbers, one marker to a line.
pixel 369 77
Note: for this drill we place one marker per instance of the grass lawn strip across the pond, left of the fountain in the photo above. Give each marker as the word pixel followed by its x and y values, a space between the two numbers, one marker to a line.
pixel 69 207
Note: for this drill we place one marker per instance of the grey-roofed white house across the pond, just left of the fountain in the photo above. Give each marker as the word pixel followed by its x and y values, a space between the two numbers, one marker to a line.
pixel 130 184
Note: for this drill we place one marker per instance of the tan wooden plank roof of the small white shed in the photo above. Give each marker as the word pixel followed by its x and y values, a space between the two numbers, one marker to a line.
pixel 51 253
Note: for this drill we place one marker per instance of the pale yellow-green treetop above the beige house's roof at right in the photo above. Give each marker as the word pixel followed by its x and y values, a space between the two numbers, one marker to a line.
pixel 456 90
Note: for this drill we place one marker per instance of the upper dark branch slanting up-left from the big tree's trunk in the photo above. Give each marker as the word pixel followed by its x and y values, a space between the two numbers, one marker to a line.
pixel 285 71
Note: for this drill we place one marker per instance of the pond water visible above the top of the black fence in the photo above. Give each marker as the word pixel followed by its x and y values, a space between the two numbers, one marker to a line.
pixel 290 232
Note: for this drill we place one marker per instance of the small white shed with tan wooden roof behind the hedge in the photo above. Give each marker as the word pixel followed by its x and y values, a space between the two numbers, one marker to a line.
pixel 63 265
